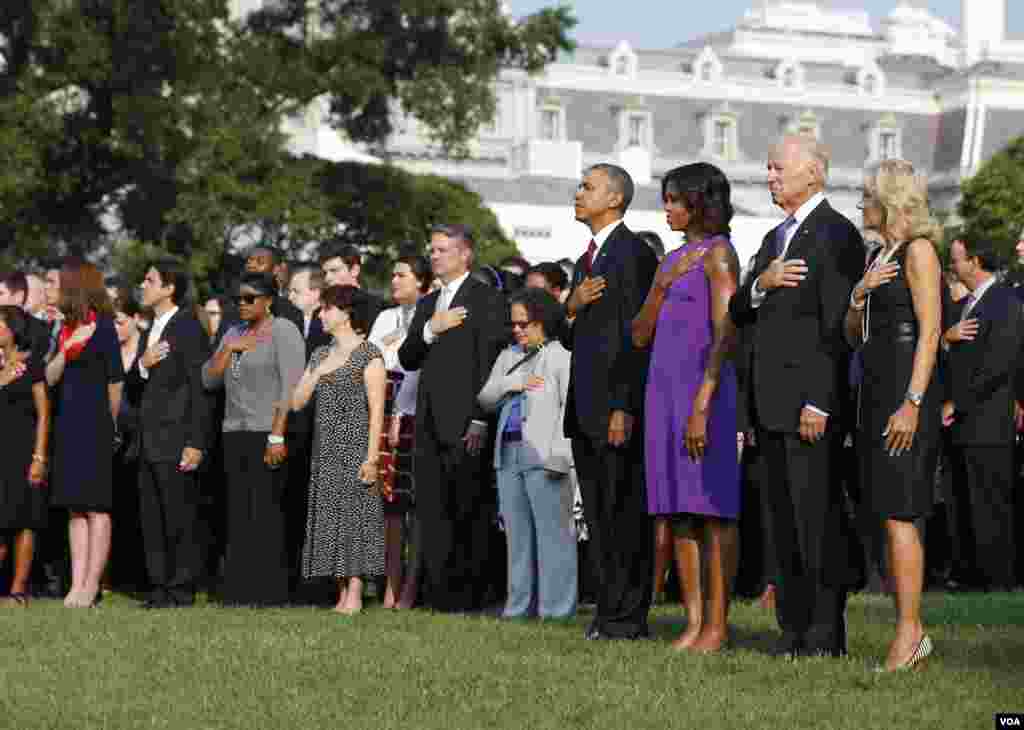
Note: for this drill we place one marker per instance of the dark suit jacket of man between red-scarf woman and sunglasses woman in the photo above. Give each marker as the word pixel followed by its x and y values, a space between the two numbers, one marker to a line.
pixel 177 411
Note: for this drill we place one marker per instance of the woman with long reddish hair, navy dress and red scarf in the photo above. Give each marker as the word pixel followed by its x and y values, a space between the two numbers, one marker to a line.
pixel 88 376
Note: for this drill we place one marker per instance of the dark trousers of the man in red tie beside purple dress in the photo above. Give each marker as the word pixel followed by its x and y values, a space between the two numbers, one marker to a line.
pixel 622 533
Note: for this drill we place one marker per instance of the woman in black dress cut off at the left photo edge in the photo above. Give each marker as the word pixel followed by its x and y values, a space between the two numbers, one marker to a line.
pixel 25 412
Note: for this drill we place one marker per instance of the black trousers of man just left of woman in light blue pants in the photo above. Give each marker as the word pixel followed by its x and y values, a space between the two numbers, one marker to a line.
pixel 453 511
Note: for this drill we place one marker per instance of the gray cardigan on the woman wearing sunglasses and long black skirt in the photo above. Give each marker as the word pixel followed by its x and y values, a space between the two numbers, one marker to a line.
pixel 267 377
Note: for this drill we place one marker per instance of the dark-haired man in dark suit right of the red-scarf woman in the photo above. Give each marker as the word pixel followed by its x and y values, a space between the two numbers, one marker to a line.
pixel 174 432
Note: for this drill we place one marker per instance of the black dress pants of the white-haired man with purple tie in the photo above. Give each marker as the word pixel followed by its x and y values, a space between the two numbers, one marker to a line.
pixel 813 542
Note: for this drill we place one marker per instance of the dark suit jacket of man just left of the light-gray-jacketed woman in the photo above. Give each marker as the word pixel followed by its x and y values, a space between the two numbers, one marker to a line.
pixel 454 369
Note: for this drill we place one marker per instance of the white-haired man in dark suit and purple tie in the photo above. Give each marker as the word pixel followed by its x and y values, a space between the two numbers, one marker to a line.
pixel 795 299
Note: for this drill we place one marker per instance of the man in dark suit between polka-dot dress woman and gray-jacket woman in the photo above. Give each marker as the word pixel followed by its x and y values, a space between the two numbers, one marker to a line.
pixel 454 341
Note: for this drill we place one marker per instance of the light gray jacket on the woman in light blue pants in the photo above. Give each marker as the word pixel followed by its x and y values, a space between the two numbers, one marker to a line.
pixel 543 411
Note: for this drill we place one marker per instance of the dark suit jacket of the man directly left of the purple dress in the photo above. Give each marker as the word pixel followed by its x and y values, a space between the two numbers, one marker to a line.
pixel 608 373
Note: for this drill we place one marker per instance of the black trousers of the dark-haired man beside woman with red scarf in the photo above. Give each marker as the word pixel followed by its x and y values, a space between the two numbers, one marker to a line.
pixel 168 508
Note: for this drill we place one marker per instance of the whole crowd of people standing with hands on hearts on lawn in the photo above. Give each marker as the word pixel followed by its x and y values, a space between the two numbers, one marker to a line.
pixel 535 437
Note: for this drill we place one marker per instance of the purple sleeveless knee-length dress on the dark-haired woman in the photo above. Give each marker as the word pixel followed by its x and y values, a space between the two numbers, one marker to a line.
pixel 682 342
